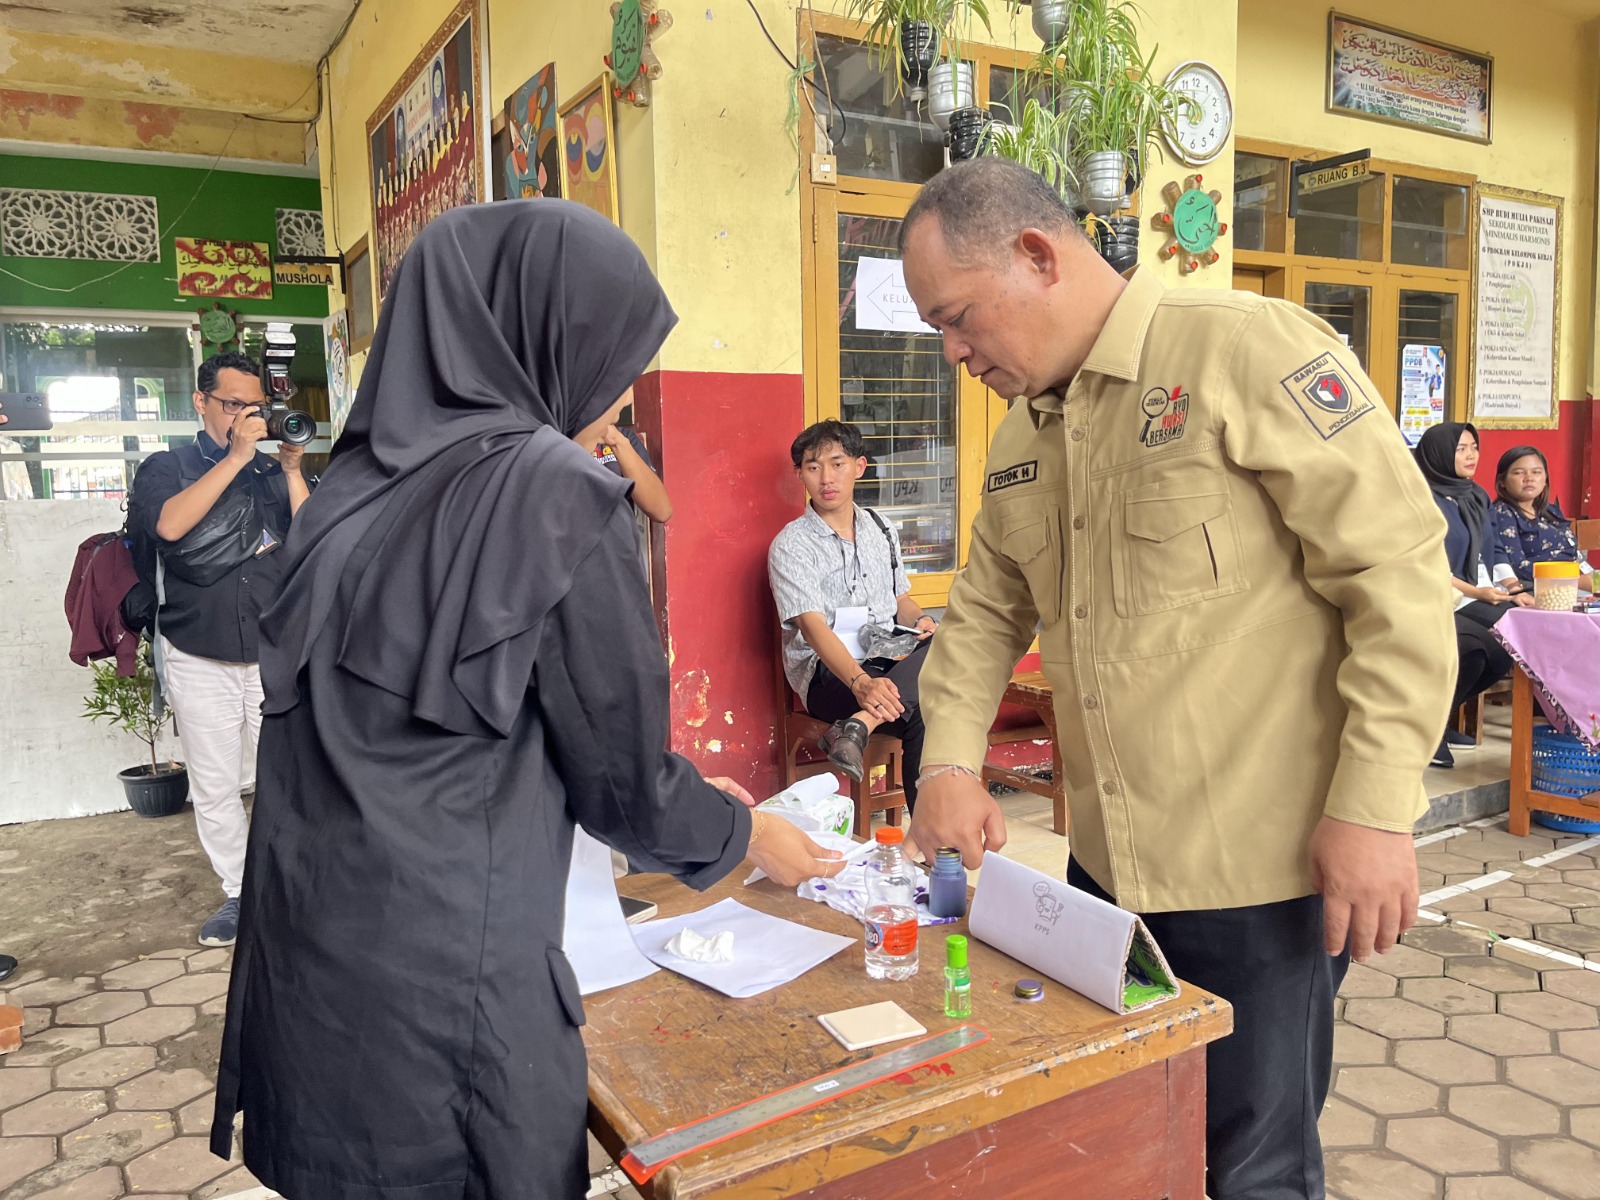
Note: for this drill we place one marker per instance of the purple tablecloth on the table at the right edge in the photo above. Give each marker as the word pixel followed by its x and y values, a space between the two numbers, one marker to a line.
pixel 1561 652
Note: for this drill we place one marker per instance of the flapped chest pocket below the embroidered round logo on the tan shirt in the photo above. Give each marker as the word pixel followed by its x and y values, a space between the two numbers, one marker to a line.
pixel 1175 548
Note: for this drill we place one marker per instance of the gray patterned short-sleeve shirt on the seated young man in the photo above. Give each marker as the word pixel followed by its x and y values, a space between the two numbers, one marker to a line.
pixel 814 570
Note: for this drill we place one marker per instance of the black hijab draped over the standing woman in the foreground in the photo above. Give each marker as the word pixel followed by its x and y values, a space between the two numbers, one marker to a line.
pixel 457 505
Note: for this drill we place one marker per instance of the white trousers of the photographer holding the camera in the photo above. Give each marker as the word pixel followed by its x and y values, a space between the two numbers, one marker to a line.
pixel 218 708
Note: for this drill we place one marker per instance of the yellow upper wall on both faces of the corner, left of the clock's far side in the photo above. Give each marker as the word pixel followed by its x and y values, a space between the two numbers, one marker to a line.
pixel 706 172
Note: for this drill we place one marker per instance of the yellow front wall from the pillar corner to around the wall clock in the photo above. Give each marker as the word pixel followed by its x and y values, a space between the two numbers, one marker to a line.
pixel 730 231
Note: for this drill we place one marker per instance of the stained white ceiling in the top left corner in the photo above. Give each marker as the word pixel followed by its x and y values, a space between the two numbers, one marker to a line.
pixel 279 31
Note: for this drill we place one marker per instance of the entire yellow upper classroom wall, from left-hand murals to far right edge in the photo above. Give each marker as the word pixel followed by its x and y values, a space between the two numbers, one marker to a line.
pixel 706 172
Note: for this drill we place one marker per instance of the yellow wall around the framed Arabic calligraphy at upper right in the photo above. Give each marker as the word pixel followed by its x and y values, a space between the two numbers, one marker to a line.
pixel 1545 110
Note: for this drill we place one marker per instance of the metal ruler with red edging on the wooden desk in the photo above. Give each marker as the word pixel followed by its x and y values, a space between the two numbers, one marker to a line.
pixel 647 1158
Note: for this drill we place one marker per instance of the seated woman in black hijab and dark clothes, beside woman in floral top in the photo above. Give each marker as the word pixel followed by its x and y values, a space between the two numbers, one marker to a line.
pixel 1484 582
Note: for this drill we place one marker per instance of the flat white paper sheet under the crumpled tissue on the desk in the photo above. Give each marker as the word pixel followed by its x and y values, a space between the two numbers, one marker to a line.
pixel 767 951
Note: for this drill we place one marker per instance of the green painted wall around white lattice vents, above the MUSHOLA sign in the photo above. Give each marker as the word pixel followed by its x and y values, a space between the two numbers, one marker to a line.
pixel 223 206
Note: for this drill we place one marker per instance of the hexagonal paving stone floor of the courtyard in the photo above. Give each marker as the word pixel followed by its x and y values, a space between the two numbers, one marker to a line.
pixel 1468 1068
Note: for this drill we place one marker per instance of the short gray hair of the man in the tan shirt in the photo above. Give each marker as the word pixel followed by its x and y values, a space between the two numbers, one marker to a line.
pixel 983 204
